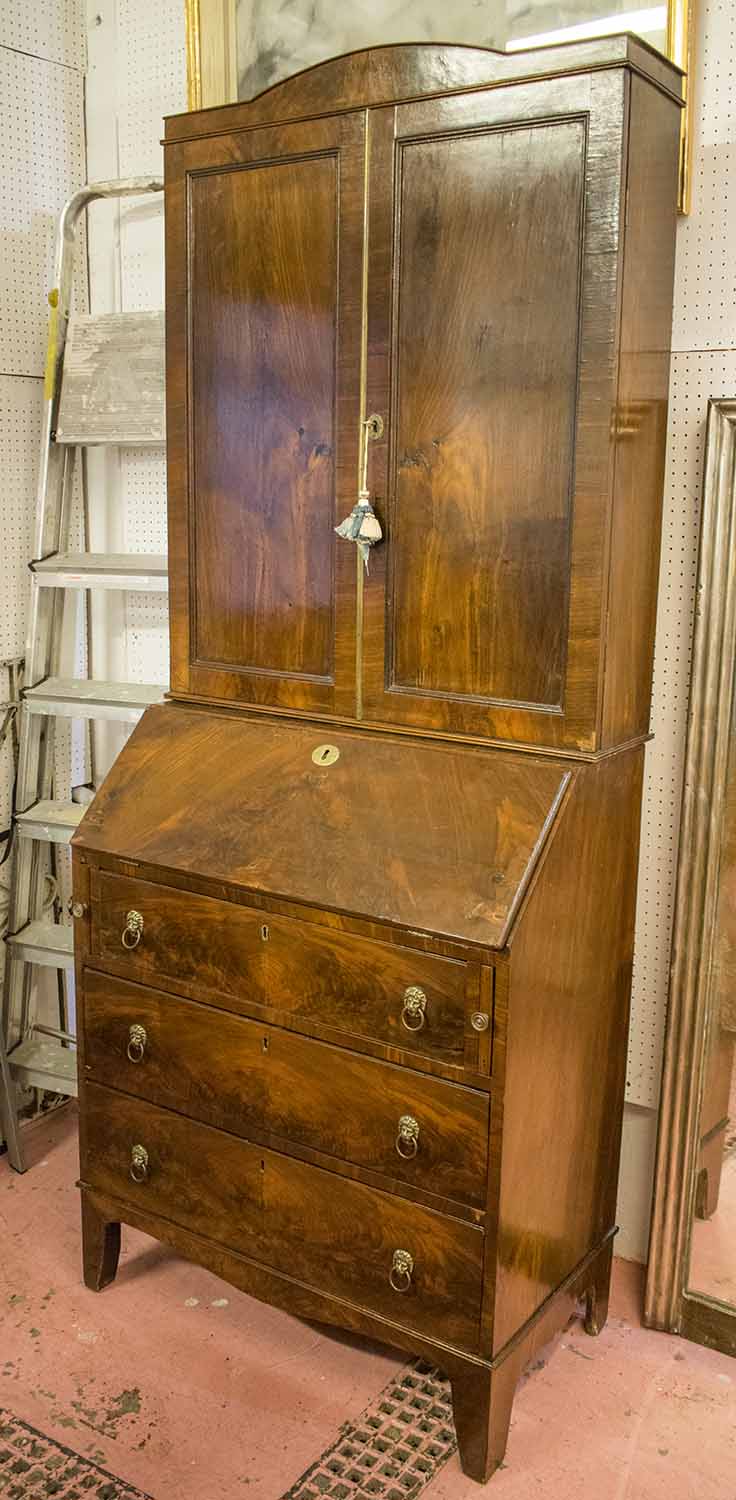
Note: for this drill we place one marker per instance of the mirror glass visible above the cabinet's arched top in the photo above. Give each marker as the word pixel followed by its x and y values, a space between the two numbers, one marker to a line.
pixel 275 41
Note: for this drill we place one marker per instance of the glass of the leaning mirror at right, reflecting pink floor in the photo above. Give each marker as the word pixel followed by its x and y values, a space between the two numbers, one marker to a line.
pixel 713 1247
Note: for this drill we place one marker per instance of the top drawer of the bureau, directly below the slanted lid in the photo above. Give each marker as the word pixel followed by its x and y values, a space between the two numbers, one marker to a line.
pixel 353 985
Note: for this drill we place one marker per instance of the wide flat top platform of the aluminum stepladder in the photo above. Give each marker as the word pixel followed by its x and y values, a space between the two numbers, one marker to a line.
pixel 113 380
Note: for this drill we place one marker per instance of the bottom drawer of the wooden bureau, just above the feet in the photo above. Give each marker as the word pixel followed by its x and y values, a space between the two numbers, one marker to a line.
pixel 329 1232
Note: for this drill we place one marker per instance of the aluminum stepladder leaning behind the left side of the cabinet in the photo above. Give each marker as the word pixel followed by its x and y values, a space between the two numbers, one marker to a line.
pixel 104 385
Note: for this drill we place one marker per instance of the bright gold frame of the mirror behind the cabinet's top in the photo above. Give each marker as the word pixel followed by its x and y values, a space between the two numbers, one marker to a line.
pixel 214 76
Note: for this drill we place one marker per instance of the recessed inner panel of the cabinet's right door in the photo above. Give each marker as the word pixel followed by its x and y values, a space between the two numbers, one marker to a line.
pixel 485 350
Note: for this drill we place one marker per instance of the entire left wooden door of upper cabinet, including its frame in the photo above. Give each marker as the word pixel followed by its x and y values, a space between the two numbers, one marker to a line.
pixel 265 274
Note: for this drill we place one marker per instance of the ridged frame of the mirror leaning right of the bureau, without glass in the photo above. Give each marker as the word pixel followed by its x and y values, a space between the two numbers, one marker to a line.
pixel 669 1304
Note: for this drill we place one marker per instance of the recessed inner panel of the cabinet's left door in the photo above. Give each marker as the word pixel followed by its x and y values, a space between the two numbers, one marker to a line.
pixel 265 320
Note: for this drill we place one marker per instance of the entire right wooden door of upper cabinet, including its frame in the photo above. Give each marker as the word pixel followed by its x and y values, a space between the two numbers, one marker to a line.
pixel 494 257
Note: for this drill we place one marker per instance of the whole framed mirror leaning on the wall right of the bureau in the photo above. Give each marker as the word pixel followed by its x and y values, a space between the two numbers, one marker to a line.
pixel 692 1279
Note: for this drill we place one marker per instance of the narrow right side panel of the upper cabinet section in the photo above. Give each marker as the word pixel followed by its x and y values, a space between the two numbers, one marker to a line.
pixel 641 412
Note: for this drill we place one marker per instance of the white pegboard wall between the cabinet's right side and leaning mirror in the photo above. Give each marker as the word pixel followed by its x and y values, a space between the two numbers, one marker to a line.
pixel 704 367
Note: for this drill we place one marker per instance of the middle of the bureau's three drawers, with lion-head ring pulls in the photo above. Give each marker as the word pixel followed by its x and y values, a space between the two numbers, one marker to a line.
pixel 251 1078
